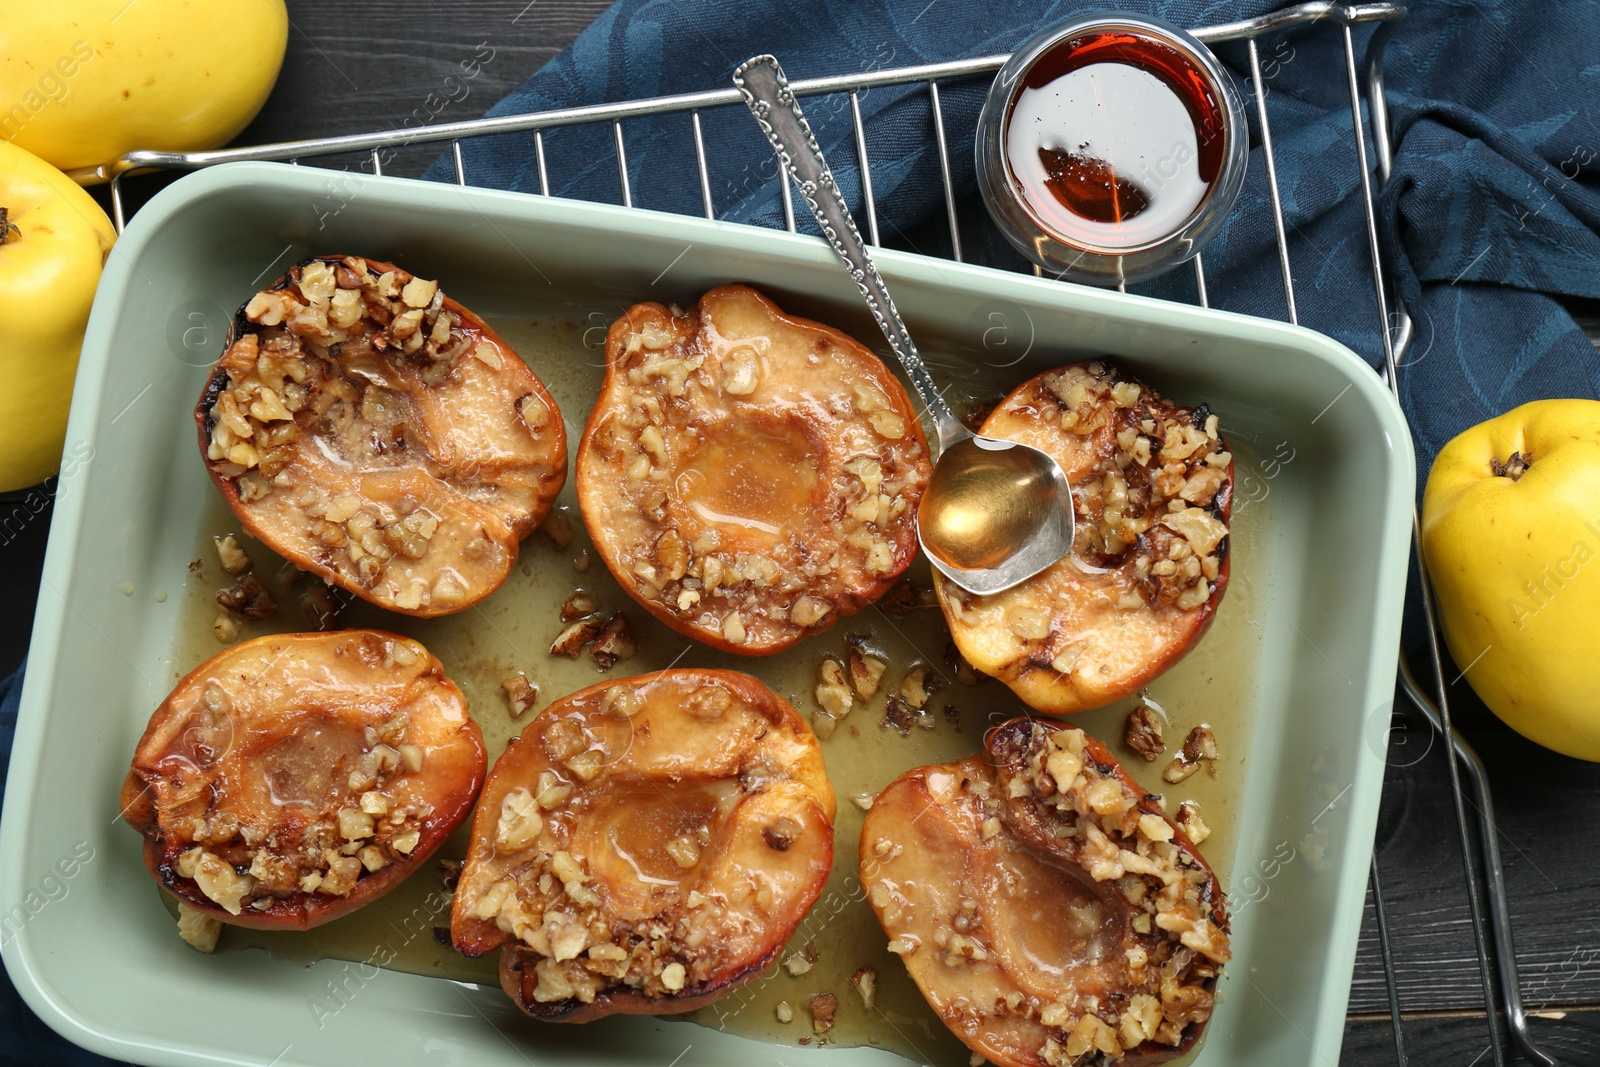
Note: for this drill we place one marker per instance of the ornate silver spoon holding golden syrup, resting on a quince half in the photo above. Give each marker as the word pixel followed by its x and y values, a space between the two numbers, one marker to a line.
pixel 996 513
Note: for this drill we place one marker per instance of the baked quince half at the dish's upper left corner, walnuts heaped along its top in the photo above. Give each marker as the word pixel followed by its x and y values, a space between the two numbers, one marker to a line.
pixel 382 436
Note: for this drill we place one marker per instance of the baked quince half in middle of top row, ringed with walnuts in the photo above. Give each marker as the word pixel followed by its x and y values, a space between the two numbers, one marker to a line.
pixel 750 478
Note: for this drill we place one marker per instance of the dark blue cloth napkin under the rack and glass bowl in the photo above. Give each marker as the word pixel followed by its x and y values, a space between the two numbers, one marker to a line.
pixel 1492 206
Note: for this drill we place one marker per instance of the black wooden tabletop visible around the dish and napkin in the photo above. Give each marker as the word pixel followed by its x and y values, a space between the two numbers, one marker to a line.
pixel 348 73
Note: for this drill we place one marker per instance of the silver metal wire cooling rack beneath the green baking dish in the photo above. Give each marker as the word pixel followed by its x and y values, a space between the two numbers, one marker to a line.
pixel 1479 839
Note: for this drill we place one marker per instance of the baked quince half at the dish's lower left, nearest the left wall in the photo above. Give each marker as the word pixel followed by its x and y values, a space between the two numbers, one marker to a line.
pixel 295 778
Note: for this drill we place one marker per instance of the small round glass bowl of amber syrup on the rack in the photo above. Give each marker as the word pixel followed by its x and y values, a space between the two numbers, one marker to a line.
pixel 1111 148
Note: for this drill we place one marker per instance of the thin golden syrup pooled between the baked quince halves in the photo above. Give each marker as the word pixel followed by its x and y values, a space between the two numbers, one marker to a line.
pixel 511 631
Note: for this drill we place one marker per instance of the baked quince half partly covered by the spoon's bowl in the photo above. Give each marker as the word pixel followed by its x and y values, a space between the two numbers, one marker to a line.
pixel 1153 486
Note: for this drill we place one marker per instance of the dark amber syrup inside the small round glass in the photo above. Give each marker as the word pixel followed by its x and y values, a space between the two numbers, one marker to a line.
pixel 1113 140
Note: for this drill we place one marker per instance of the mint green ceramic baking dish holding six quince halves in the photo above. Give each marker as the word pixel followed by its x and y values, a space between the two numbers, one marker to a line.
pixel 1298 669
